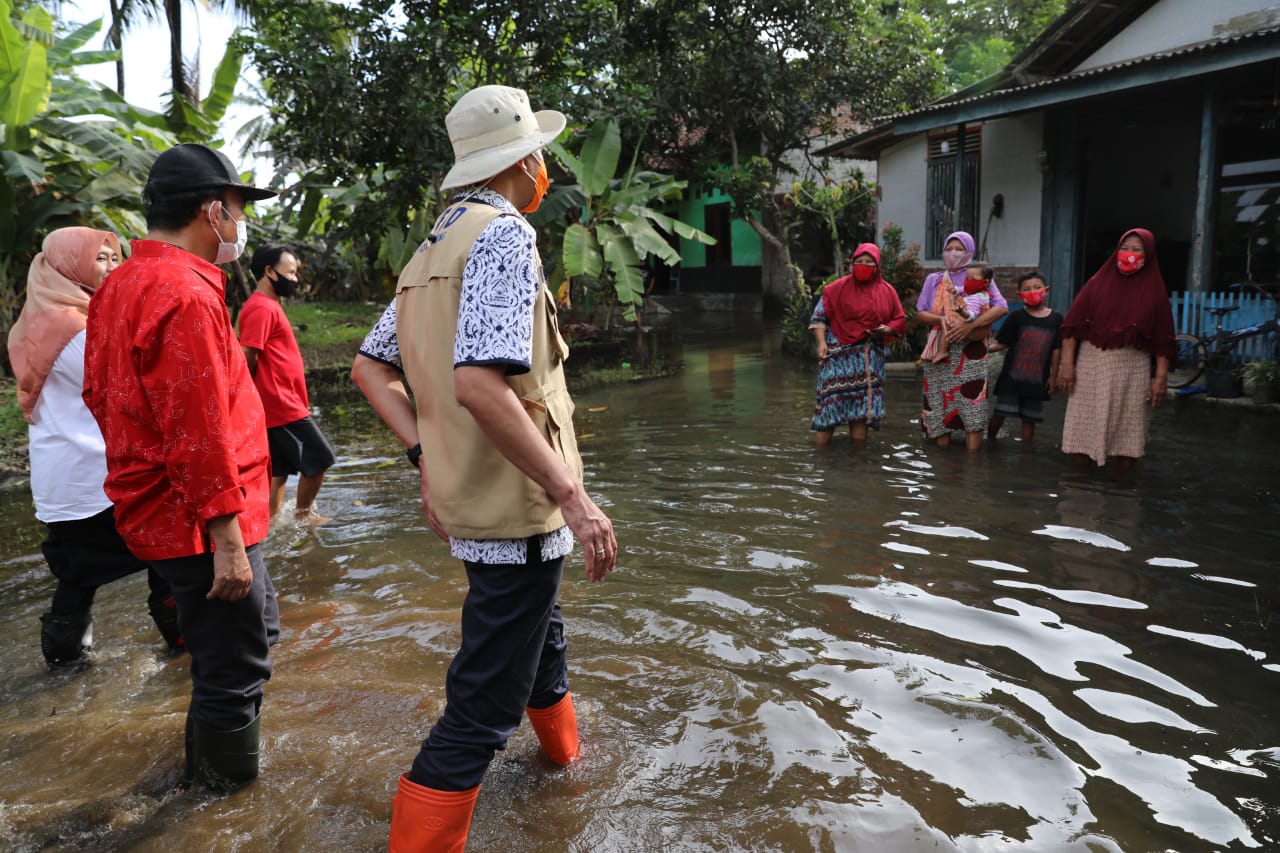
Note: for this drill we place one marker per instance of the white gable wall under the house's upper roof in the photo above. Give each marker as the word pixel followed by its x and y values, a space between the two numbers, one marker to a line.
pixel 1177 24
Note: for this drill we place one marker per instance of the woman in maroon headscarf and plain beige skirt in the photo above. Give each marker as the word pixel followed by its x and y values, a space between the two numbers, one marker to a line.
pixel 1118 343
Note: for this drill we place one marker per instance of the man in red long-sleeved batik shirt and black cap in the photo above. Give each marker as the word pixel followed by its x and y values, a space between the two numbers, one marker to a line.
pixel 186 446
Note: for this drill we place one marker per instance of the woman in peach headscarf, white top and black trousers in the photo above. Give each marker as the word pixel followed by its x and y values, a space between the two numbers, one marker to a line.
pixel 68 455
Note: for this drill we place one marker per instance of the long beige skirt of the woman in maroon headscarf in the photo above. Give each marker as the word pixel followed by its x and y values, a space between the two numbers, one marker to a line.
pixel 1108 413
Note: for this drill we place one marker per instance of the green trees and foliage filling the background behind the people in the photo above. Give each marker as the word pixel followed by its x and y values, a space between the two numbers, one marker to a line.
pixel 702 94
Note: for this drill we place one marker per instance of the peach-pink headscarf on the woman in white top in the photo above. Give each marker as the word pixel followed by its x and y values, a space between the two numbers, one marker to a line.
pixel 60 284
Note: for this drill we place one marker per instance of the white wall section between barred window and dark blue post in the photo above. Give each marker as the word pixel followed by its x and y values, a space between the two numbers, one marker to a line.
pixel 1011 166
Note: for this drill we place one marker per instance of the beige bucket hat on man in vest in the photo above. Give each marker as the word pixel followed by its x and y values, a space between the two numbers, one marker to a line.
pixel 491 129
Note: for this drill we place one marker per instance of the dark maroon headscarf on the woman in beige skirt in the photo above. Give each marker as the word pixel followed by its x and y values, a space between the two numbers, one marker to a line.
pixel 1116 311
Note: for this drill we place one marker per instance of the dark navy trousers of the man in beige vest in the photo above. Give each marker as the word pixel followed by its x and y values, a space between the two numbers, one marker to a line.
pixel 513 656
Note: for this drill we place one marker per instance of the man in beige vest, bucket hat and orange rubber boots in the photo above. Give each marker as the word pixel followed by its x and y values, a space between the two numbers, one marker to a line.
pixel 502 478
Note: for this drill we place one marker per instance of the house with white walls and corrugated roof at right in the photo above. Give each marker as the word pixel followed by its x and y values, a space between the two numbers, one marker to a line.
pixel 1141 113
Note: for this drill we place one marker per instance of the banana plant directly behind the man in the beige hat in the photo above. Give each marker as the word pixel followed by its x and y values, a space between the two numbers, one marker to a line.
pixel 616 222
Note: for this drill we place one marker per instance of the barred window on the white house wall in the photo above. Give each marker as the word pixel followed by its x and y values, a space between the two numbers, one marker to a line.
pixel 953 186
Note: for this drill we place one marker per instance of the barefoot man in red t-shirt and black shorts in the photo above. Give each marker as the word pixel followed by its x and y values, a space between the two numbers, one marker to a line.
pixel 275 359
